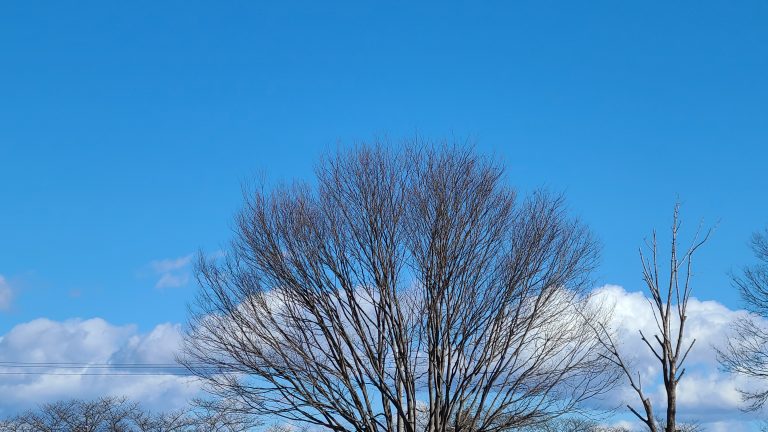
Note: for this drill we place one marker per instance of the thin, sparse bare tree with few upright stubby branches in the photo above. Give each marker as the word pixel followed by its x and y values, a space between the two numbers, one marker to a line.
pixel 669 304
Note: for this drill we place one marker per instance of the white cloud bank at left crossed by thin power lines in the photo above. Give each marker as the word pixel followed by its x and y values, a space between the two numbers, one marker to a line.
pixel 83 342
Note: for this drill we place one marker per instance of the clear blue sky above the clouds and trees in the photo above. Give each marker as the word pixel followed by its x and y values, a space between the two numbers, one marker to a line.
pixel 126 128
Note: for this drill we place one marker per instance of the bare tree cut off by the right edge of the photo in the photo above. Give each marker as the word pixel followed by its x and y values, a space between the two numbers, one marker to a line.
pixel 746 352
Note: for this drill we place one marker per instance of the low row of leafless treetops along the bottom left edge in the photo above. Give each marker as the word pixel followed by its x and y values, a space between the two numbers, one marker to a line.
pixel 112 414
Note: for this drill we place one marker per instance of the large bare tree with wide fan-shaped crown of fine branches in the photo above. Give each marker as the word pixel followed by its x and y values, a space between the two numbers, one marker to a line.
pixel 408 291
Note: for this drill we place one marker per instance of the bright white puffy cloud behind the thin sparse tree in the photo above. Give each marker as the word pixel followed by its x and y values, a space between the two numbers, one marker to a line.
pixel 705 394
